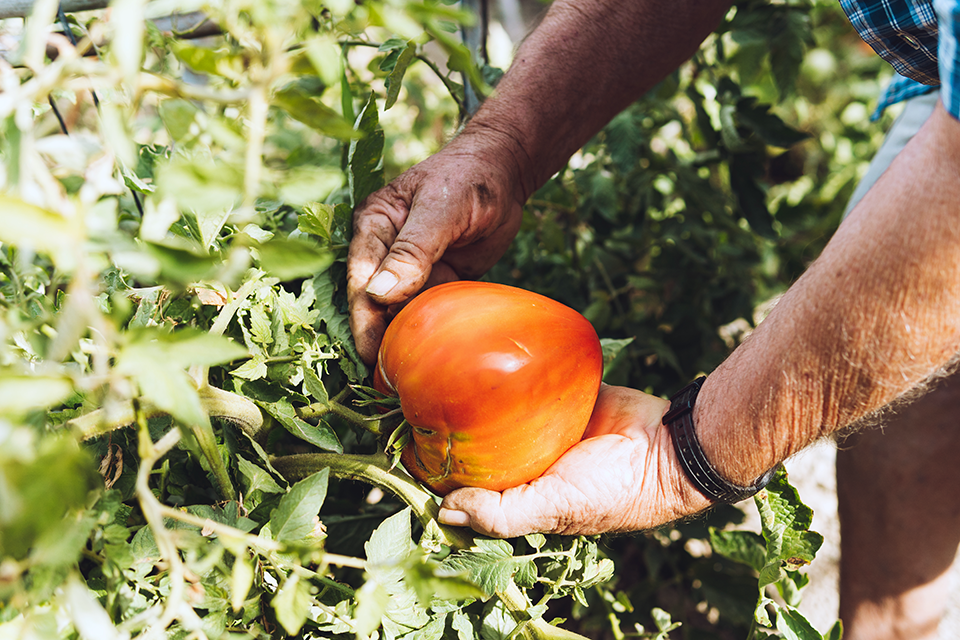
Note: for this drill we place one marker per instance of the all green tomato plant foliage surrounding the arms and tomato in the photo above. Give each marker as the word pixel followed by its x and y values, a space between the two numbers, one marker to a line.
pixel 186 449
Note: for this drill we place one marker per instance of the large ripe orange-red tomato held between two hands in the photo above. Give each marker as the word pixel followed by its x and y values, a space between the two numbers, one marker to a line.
pixel 497 383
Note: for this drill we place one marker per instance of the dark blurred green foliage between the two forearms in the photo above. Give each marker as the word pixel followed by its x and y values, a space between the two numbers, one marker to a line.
pixel 707 198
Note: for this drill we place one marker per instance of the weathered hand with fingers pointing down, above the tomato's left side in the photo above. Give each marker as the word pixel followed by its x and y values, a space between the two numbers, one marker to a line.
pixel 450 217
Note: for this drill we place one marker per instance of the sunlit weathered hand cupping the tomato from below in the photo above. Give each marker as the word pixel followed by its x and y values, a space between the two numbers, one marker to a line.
pixel 623 476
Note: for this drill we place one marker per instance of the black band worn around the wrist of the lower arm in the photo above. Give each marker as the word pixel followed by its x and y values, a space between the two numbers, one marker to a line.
pixel 703 475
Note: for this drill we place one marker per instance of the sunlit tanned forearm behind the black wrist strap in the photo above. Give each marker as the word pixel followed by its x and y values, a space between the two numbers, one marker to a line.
pixel 875 315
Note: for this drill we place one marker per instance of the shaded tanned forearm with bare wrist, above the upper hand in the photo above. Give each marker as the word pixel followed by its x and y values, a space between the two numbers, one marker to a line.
pixel 585 62
